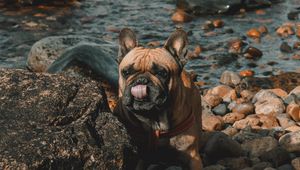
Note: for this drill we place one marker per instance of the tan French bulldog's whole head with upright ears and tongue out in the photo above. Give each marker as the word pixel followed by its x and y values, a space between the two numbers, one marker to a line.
pixel 147 76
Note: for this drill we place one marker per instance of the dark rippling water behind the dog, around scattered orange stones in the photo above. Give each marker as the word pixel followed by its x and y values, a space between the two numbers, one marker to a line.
pixel 21 27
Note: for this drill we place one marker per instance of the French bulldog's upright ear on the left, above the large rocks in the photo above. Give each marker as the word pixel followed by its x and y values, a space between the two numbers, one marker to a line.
pixel 127 41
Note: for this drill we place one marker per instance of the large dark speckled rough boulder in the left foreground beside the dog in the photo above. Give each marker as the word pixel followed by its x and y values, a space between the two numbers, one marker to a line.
pixel 58 122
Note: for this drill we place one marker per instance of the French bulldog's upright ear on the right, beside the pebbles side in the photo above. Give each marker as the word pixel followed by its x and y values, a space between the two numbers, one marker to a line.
pixel 176 44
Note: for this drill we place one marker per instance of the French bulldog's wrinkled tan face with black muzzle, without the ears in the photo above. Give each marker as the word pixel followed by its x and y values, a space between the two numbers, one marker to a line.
pixel 146 77
